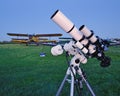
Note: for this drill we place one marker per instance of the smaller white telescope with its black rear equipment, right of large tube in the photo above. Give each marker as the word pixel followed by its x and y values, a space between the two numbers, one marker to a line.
pixel 99 46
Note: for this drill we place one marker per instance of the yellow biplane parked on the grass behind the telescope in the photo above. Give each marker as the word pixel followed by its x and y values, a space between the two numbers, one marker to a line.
pixel 33 39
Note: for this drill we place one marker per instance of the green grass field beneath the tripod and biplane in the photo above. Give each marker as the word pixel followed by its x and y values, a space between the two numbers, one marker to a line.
pixel 24 73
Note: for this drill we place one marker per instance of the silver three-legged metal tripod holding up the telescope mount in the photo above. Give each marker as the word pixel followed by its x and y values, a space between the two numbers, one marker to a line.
pixel 72 71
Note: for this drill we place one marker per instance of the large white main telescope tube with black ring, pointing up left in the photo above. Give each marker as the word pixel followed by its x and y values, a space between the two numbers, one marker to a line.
pixel 59 18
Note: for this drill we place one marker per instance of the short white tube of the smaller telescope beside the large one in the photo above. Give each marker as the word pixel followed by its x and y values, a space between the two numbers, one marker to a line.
pixel 88 34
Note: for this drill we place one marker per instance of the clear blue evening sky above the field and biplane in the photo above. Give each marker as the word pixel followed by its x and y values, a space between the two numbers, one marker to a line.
pixel 33 16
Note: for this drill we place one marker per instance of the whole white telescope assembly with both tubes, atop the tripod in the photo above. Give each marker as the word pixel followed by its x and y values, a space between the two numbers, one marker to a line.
pixel 84 40
